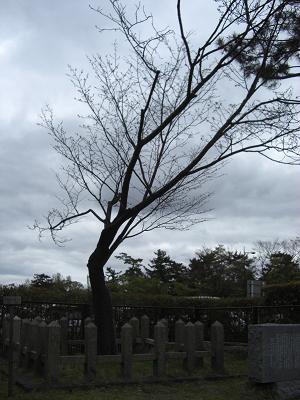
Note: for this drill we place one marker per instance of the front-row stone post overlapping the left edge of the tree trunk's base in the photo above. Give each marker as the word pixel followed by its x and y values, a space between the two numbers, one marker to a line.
pixel 90 341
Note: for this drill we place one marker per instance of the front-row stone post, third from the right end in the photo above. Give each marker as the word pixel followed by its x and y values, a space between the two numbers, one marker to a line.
pixel 159 364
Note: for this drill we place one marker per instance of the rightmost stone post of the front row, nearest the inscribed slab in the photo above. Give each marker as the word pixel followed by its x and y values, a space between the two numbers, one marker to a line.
pixel 217 347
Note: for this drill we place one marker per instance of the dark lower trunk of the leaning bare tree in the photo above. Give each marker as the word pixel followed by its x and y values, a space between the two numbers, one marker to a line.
pixel 102 303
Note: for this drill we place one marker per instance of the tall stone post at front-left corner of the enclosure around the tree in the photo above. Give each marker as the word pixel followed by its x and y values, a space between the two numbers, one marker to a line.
pixel 52 352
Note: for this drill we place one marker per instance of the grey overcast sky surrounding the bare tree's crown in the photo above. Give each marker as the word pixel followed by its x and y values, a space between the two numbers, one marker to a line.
pixel 254 199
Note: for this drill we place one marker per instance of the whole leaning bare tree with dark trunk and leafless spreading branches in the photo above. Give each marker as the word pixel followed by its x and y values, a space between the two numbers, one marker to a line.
pixel 157 126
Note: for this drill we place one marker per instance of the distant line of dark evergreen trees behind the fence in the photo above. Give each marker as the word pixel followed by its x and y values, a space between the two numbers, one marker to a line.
pixel 216 272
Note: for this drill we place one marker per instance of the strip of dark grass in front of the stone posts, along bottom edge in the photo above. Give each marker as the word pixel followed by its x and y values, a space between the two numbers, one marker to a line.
pixel 233 389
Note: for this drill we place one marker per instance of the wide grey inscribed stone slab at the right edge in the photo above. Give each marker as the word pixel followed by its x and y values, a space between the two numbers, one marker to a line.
pixel 274 352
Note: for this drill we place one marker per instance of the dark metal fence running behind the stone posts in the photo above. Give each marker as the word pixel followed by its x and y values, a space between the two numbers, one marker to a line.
pixel 234 319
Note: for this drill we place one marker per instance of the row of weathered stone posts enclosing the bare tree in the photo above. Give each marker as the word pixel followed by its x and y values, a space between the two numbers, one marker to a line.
pixel 38 345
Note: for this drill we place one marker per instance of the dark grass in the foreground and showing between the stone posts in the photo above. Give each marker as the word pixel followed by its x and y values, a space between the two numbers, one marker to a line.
pixel 238 388
